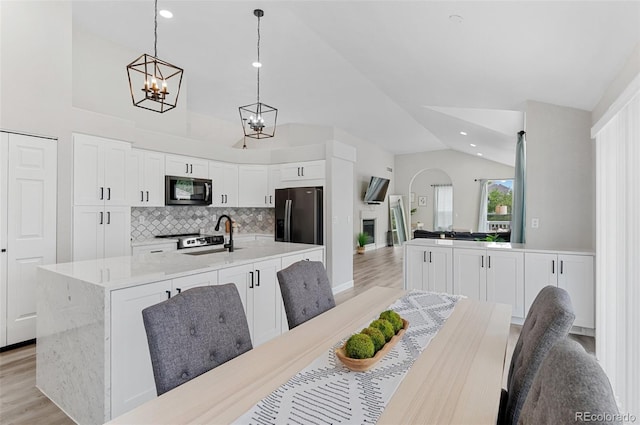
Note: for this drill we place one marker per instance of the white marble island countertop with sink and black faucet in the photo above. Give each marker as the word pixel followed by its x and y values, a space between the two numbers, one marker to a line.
pixel 121 272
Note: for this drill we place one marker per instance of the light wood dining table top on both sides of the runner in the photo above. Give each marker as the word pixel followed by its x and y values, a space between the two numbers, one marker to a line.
pixel 456 379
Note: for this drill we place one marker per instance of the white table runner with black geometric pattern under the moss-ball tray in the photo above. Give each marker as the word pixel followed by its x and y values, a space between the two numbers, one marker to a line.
pixel 326 392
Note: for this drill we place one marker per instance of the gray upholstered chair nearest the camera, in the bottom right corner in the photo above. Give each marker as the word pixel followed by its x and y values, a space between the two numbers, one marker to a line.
pixel 569 385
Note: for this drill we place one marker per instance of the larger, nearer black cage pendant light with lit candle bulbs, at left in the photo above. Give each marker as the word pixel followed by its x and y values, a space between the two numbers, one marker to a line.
pixel 154 83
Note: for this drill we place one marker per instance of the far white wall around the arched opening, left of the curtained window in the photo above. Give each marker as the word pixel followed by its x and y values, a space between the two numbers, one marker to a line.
pixel 462 169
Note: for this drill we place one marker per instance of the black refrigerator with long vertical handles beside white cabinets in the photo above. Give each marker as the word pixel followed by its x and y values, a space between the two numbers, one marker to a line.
pixel 299 215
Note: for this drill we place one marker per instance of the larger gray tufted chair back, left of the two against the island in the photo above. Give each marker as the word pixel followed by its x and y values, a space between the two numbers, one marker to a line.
pixel 194 332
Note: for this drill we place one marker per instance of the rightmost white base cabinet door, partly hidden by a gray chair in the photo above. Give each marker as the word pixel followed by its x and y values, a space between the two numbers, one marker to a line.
pixel 576 277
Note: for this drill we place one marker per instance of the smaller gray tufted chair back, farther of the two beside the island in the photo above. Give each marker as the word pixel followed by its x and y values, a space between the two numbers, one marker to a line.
pixel 306 291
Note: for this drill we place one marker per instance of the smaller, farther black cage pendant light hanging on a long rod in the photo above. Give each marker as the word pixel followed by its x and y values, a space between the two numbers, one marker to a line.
pixel 258 119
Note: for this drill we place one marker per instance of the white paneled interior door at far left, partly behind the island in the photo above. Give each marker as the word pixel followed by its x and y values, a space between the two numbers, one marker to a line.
pixel 31 234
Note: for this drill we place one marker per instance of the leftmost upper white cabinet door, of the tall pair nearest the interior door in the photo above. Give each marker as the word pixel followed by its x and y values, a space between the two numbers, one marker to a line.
pixel 88 170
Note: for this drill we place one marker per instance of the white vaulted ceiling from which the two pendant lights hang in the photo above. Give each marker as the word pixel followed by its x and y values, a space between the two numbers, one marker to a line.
pixel 408 76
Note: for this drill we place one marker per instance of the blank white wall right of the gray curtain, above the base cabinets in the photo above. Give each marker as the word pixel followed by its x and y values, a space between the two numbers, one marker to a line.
pixel 560 177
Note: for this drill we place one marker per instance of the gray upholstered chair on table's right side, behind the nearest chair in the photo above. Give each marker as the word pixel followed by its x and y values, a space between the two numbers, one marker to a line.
pixel 549 320
